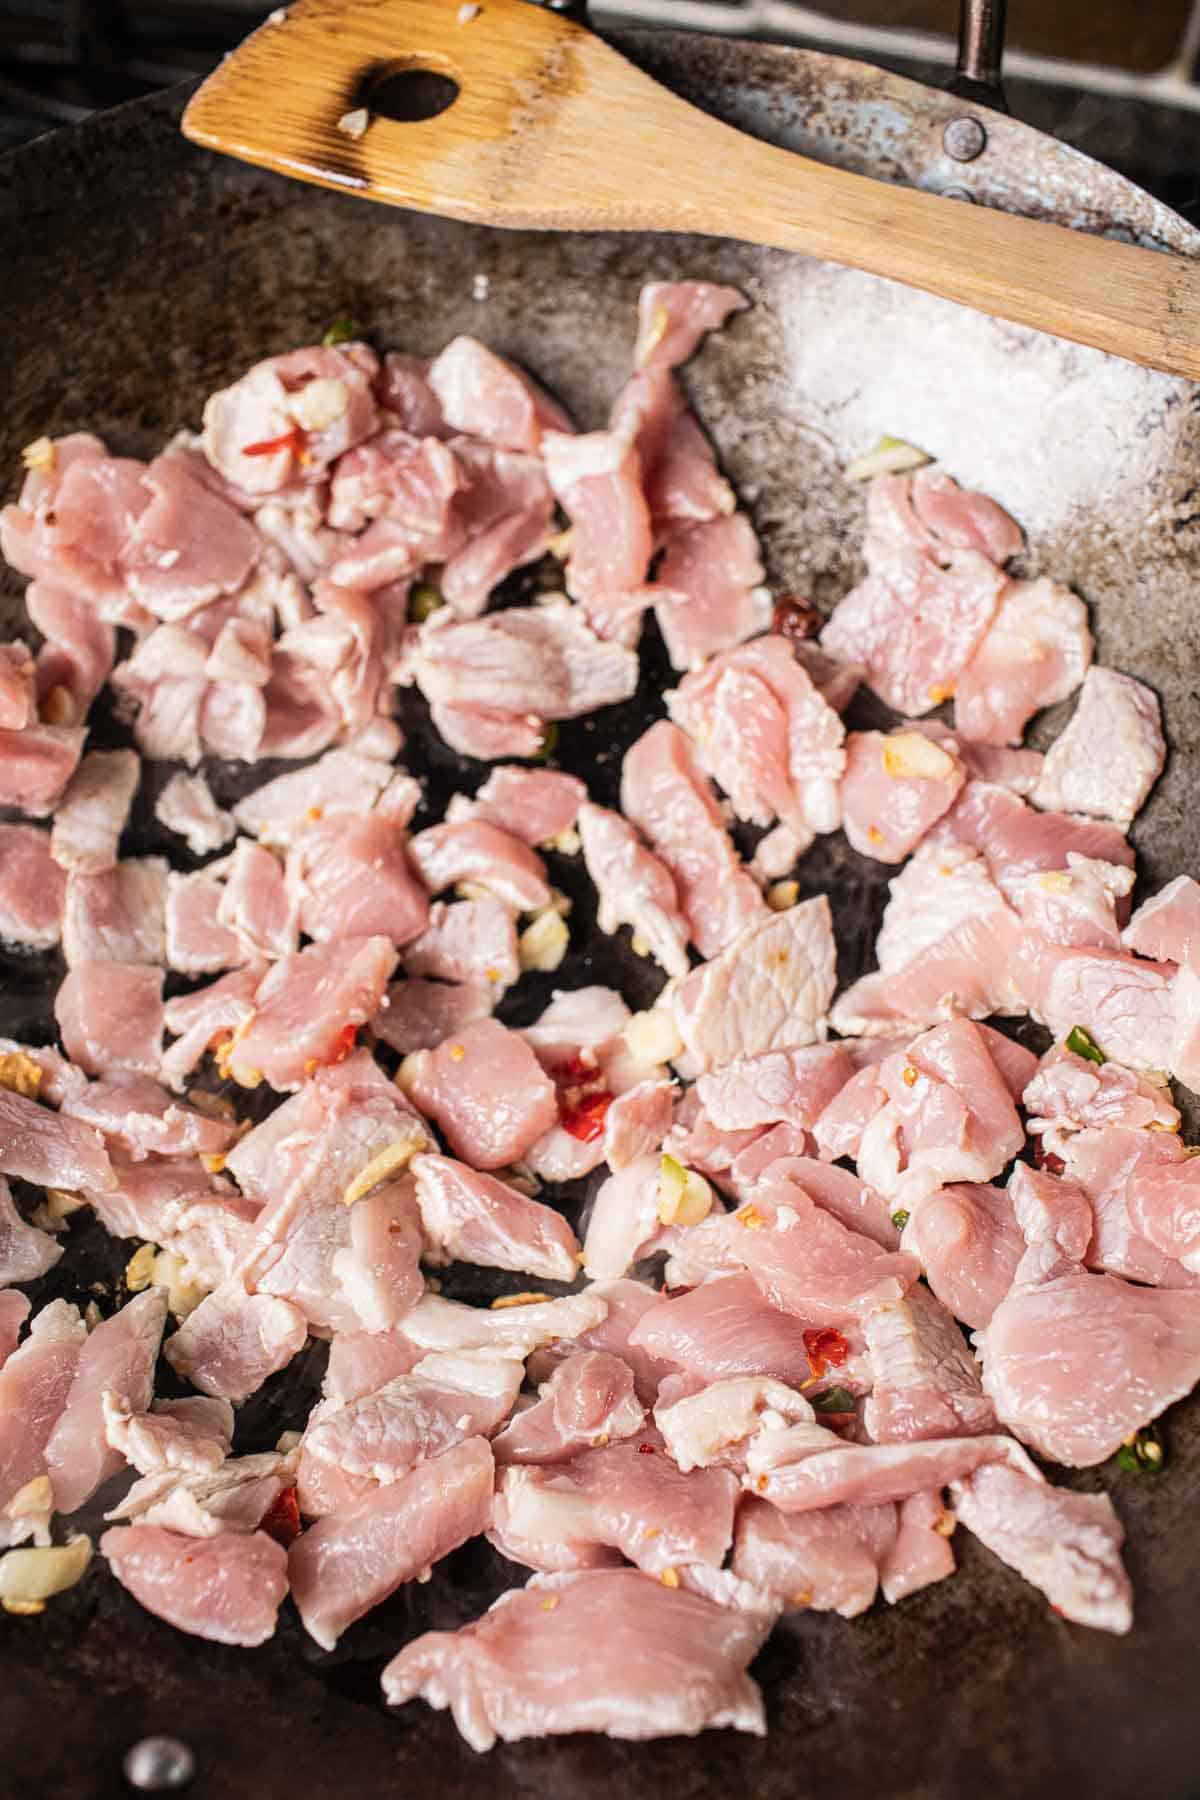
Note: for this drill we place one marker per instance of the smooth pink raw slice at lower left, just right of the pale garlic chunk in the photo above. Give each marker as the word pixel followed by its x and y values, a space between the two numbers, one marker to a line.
pixel 226 1588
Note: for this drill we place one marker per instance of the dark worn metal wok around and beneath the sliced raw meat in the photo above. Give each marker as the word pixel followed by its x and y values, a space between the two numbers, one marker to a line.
pixel 138 274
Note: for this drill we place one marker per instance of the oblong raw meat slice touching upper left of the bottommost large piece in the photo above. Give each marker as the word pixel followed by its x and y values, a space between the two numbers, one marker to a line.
pixel 355 1560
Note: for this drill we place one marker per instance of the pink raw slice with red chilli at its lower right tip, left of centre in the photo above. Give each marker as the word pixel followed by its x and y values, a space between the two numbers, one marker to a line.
pixel 309 1009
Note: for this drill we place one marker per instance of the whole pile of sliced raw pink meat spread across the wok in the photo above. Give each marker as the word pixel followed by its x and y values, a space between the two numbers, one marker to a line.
pixel 785 1282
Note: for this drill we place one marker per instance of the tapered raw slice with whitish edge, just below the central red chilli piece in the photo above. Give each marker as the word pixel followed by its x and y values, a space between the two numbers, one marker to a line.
pixel 474 1218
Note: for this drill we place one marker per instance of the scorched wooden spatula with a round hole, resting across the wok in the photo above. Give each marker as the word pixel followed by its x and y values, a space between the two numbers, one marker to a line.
pixel 555 130
